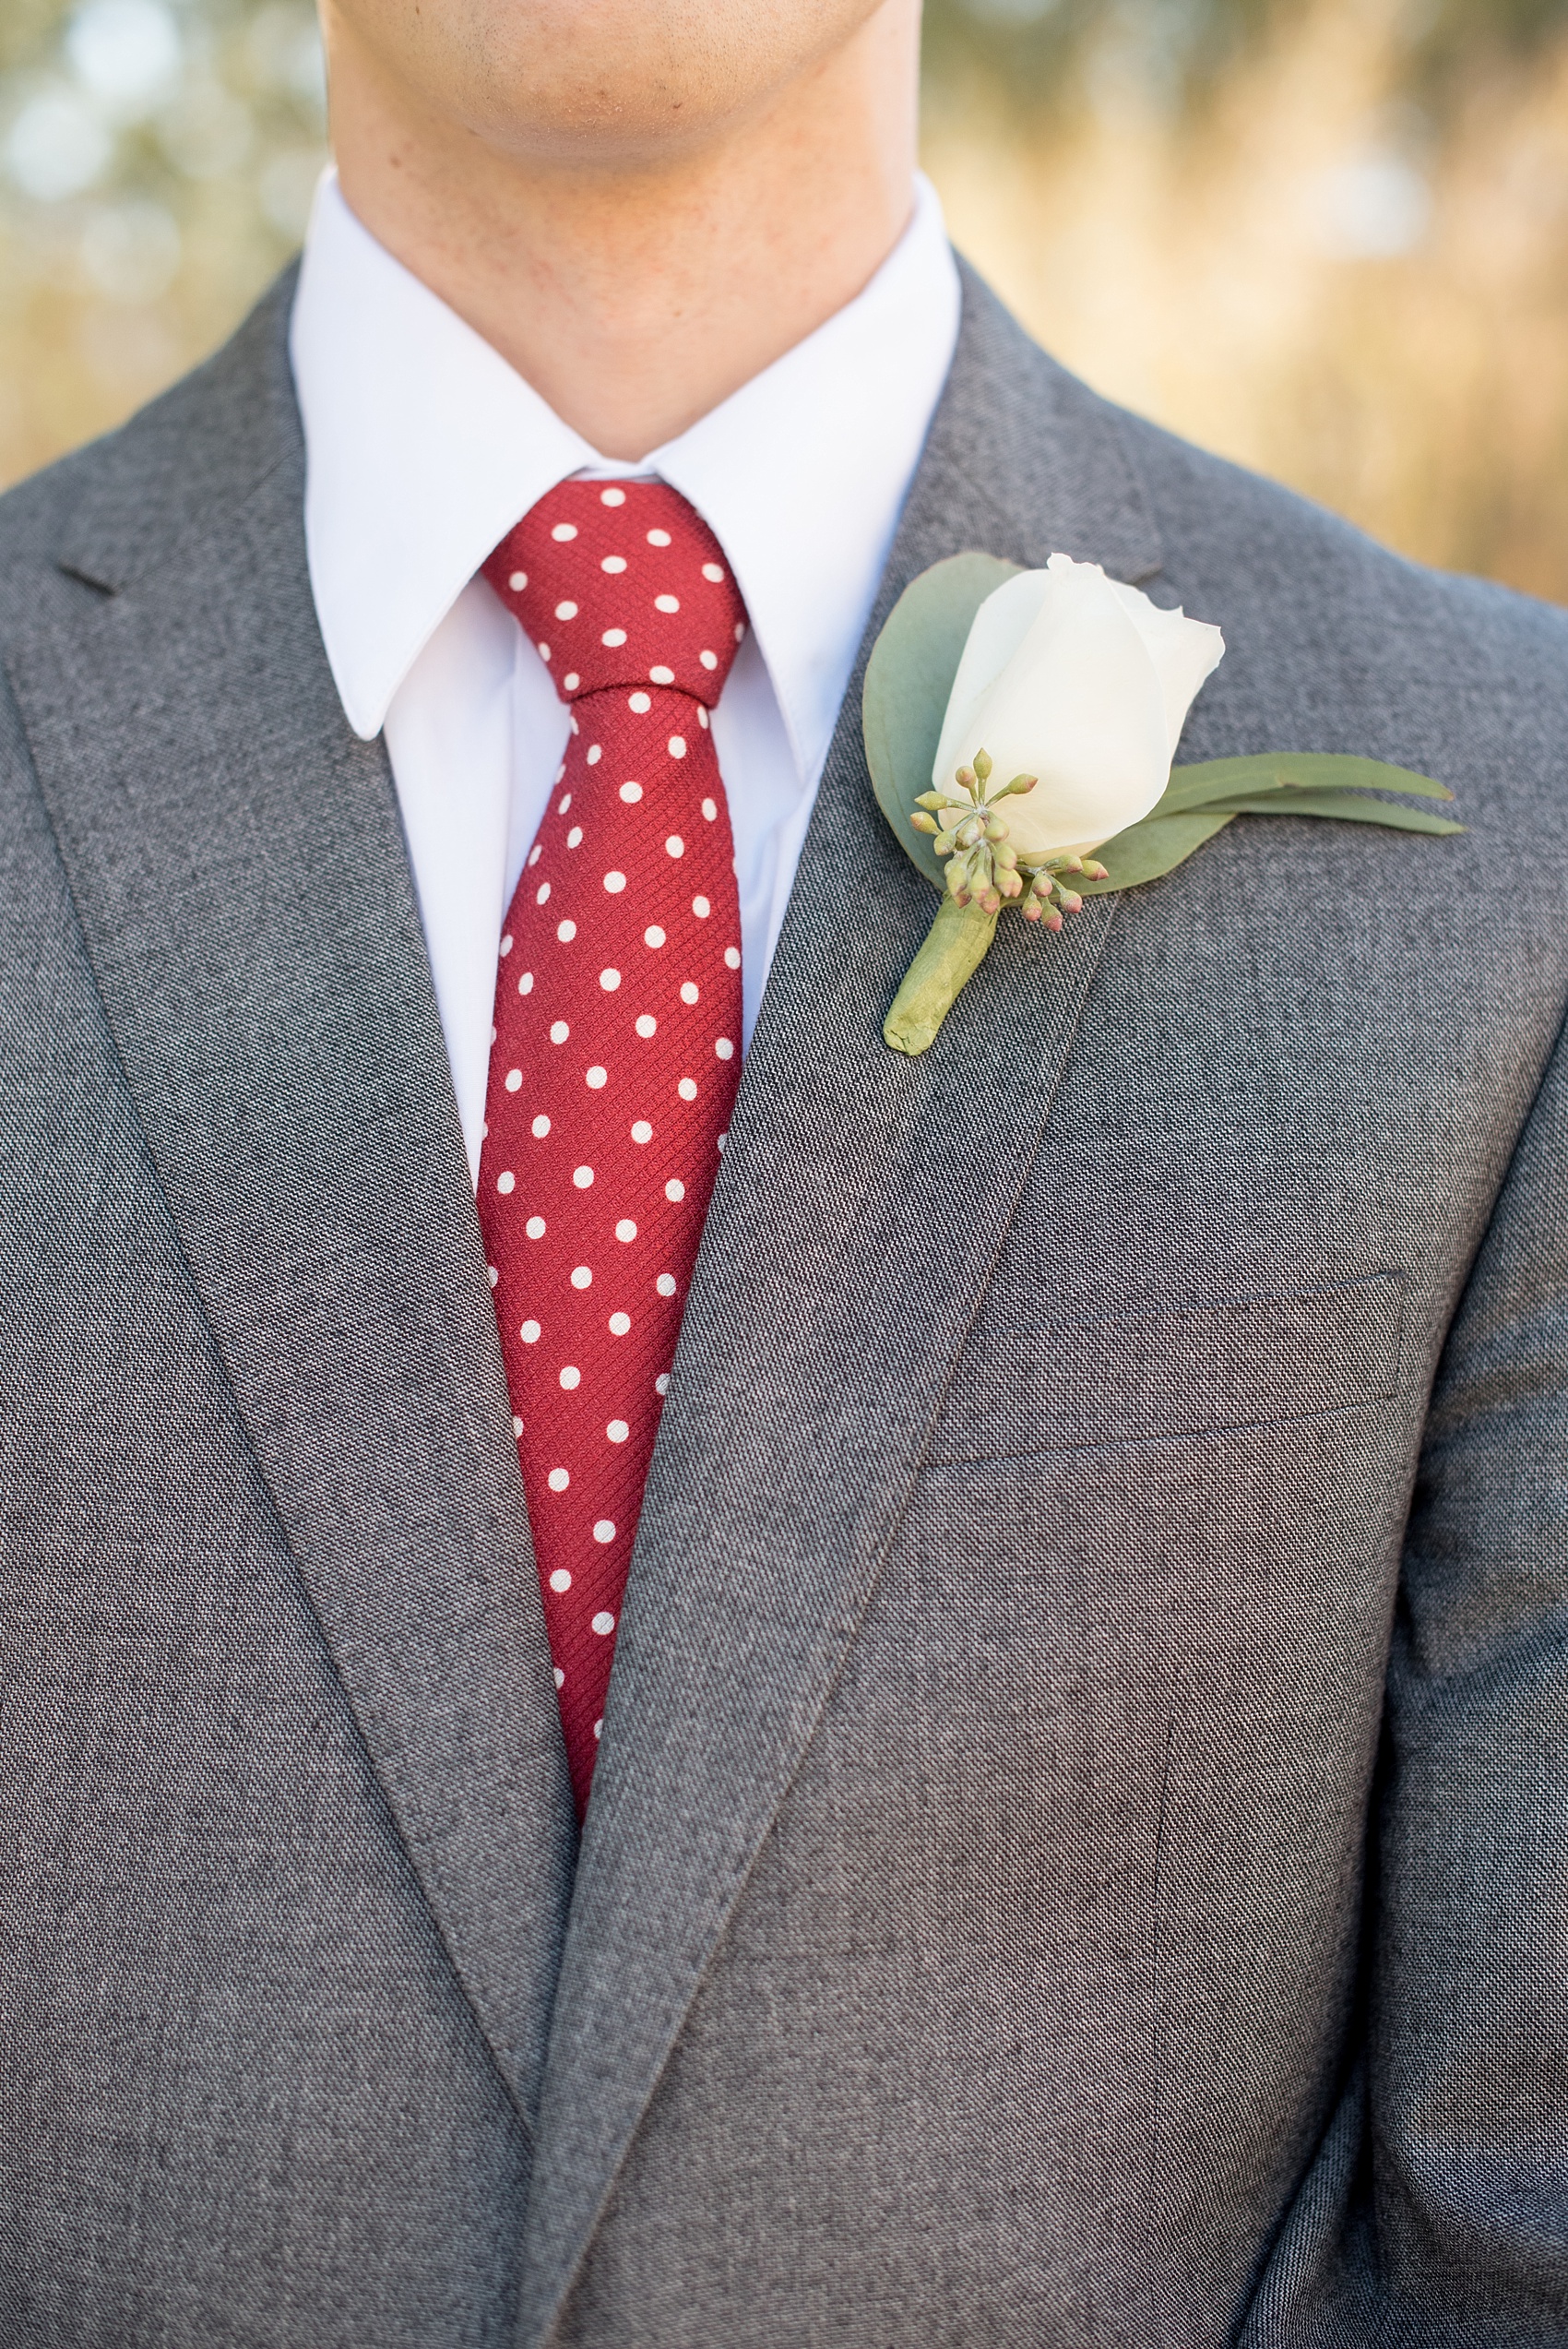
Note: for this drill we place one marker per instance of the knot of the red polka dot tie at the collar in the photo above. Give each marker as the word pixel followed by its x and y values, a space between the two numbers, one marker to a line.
pixel 621 584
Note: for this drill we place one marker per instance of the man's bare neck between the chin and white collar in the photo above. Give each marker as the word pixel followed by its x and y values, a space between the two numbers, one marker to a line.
pixel 630 295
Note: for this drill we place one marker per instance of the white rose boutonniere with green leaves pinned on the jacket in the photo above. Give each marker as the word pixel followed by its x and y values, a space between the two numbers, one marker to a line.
pixel 1020 732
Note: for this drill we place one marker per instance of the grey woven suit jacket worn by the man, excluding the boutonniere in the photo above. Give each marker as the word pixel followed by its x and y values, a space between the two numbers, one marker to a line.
pixel 1081 1838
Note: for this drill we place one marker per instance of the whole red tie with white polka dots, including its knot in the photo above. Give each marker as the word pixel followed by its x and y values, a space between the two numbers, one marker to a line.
pixel 616 1037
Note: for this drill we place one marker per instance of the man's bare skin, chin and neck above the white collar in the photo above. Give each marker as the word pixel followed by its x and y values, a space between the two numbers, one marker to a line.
pixel 637 203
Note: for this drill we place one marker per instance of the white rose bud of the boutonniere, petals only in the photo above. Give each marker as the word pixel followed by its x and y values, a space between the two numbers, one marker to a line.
pixel 1086 685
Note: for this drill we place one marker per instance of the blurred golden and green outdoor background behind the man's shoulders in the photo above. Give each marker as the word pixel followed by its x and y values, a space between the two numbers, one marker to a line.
pixel 1323 236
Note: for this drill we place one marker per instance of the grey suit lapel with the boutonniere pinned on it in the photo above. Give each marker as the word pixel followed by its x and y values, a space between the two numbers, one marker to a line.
pixel 853 1232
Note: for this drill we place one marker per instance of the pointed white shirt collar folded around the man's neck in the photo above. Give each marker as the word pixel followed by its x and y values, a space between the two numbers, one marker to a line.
pixel 424 447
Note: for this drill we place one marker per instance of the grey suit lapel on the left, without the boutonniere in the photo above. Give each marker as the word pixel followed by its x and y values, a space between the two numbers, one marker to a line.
pixel 248 906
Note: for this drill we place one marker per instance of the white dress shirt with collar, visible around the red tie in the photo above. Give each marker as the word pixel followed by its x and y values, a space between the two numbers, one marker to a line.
pixel 424 450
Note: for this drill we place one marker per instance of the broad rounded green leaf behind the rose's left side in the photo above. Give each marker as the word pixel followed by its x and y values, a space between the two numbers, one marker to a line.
pixel 907 687
